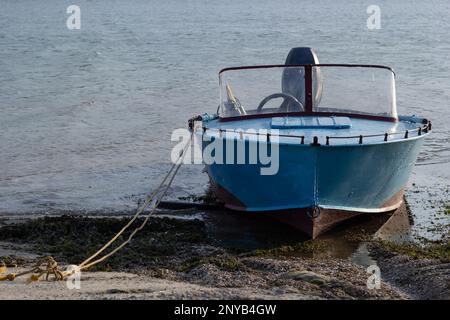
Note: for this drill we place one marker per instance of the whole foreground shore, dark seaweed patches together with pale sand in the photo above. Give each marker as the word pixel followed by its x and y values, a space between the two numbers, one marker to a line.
pixel 177 260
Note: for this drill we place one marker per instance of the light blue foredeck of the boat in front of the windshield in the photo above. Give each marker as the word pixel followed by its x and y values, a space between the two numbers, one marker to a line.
pixel 328 130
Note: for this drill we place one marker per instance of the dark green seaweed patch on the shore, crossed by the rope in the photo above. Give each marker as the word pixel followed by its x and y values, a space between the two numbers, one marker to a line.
pixel 163 241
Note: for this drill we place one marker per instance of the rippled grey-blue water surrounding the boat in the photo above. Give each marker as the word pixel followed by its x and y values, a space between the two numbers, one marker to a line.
pixel 86 115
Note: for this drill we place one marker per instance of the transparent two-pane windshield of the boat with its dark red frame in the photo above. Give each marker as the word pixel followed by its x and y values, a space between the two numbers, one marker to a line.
pixel 308 89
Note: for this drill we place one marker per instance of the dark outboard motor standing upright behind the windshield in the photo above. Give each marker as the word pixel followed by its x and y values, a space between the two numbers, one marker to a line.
pixel 293 81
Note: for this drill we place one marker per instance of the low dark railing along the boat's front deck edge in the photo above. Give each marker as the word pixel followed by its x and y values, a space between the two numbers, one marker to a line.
pixel 425 128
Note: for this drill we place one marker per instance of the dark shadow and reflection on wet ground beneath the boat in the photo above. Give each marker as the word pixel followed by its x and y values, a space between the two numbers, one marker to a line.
pixel 246 232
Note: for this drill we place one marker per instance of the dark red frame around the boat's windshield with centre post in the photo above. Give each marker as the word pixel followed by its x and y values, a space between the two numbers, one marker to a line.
pixel 309 109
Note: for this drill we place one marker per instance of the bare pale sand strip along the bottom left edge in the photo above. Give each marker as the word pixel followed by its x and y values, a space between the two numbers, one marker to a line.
pixel 122 285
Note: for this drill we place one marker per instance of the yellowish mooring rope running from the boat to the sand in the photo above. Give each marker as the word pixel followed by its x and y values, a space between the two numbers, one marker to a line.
pixel 154 199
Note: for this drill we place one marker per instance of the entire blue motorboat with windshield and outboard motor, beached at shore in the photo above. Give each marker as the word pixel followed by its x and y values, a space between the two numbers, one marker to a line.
pixel 310 144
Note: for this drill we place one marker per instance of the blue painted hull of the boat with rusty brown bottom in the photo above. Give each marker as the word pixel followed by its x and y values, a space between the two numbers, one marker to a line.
pixel 317 187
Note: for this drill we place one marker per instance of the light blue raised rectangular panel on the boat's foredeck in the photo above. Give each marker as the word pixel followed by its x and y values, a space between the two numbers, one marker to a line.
pixel 311 122
